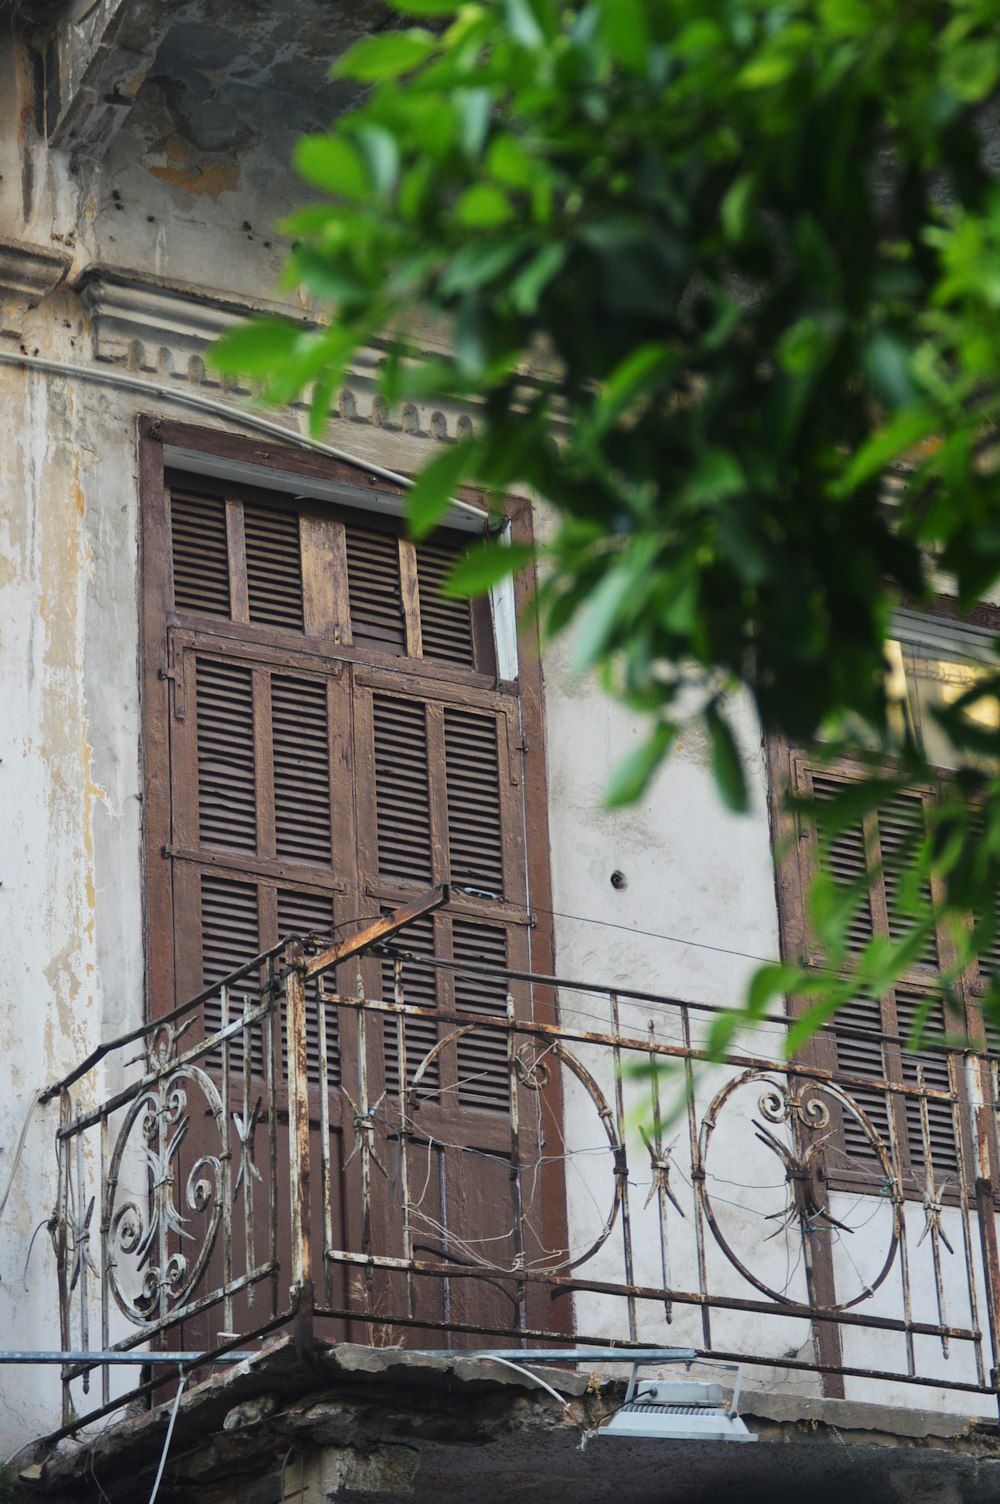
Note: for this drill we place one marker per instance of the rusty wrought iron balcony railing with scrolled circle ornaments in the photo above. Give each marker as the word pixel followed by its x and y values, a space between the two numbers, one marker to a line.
pixel 279 1151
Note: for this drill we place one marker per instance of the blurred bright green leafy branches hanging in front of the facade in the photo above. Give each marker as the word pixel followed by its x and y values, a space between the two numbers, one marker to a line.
pixel 712 270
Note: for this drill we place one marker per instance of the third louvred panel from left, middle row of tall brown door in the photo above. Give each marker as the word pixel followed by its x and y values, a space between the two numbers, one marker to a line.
pixel 402 789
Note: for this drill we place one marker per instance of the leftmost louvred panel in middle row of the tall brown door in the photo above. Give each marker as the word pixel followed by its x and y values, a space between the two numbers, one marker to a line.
pixel 228 807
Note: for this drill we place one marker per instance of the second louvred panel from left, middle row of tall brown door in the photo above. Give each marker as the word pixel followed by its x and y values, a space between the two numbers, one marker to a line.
pixel 302 771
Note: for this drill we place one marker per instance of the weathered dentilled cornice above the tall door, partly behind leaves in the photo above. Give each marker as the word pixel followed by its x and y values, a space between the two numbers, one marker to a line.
pixel 165 330
